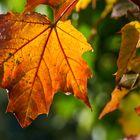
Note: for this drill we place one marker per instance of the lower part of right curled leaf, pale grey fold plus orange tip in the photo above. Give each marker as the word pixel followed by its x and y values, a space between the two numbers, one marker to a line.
pixel 126 84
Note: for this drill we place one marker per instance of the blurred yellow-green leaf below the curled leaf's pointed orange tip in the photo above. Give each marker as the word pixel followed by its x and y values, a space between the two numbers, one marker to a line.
pixel 129 120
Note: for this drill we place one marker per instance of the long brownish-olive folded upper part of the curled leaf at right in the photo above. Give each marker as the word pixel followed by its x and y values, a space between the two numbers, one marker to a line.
pixel 128 47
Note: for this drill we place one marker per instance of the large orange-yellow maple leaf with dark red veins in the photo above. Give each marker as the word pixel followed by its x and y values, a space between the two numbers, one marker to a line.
pixel 37 59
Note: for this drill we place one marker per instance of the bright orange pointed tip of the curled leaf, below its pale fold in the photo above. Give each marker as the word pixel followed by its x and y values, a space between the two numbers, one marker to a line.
pixel 113 104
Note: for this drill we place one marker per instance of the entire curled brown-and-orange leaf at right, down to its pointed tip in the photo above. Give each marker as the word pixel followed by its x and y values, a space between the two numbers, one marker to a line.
pixel 128 74
